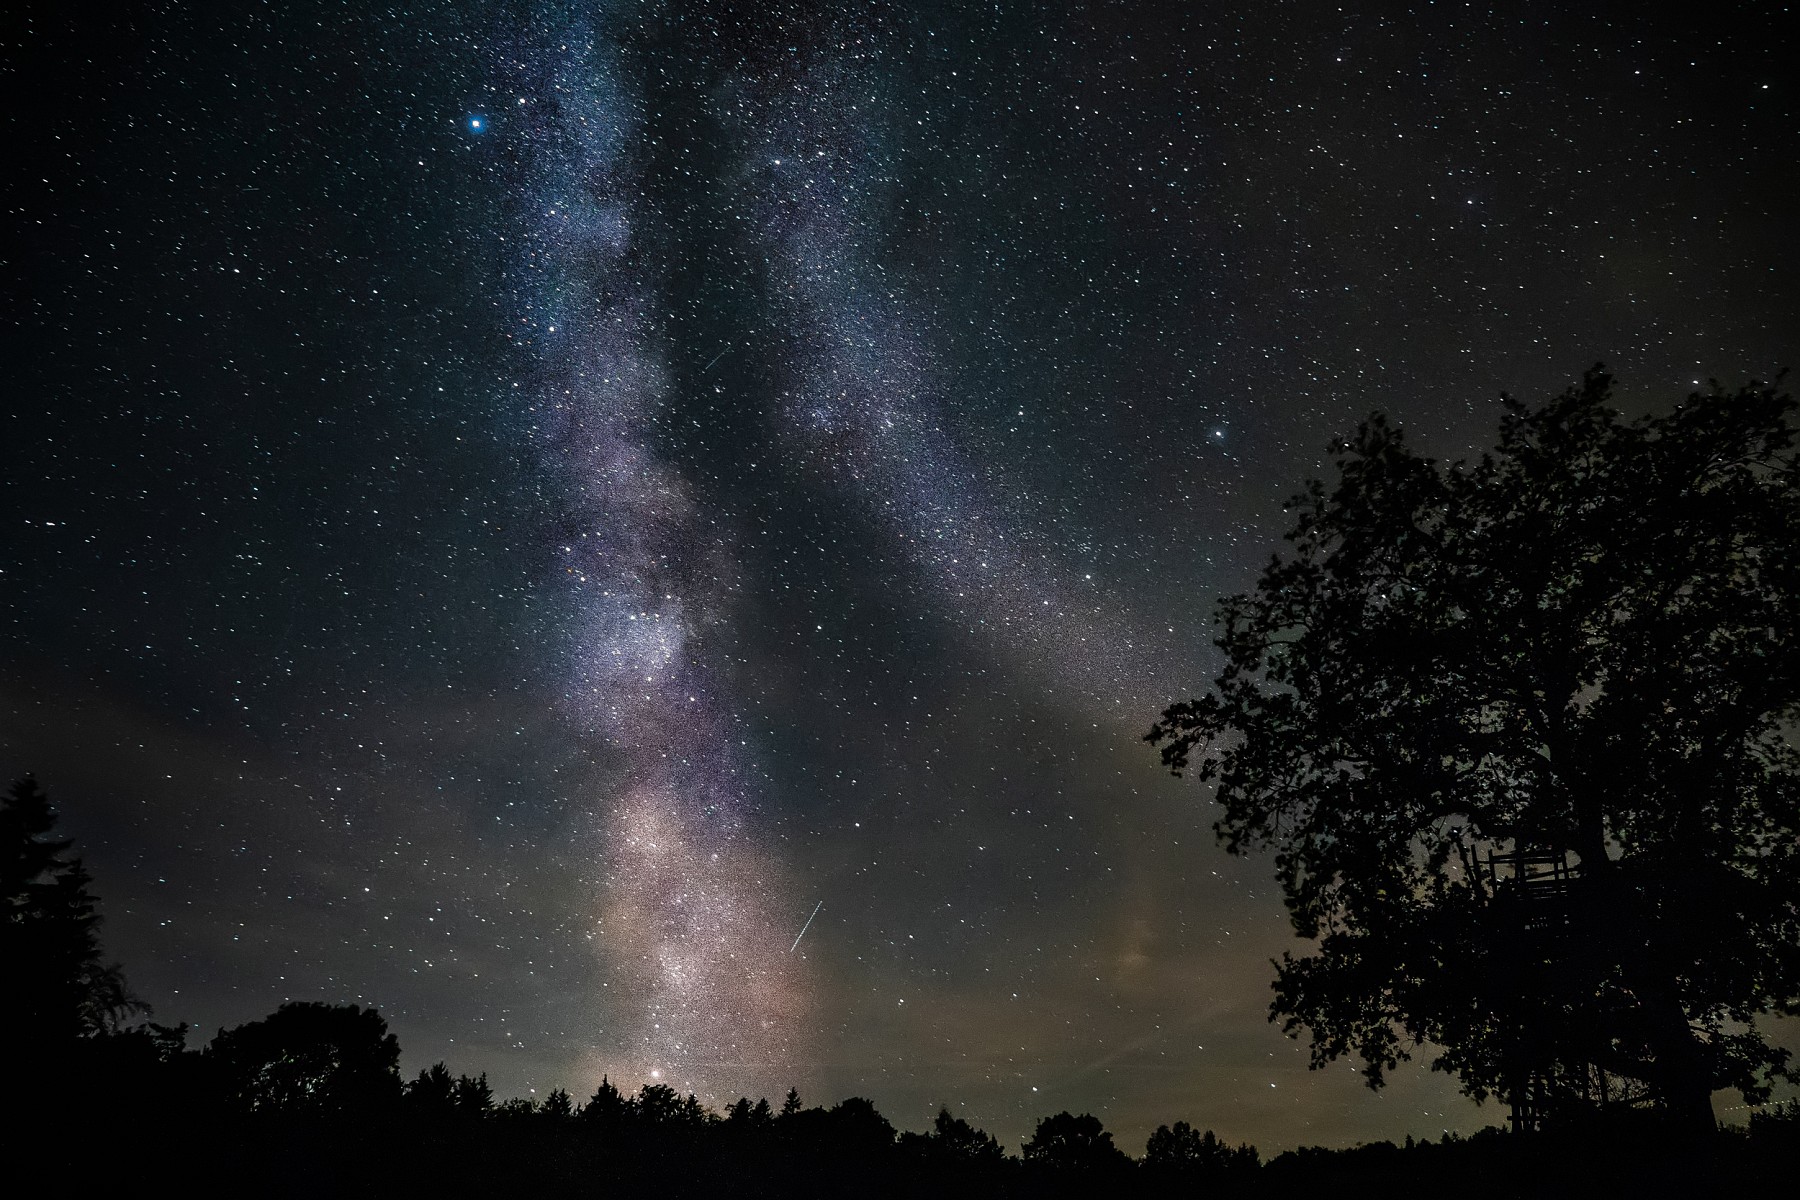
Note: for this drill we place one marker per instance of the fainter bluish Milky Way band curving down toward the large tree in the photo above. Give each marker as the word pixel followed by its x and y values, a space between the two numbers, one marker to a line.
pixel 870 400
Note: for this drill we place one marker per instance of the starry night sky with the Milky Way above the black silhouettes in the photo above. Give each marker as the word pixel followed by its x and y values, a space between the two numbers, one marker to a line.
pixel 643 539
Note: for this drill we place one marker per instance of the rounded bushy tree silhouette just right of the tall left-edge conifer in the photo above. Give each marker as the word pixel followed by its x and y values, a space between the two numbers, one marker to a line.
pixel 309 1057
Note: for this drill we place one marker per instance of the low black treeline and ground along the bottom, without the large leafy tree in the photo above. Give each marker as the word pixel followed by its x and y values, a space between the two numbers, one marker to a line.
pixel 310 1102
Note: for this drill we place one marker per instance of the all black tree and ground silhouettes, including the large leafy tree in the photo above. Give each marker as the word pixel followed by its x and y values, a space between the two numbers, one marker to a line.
pixel 1518 733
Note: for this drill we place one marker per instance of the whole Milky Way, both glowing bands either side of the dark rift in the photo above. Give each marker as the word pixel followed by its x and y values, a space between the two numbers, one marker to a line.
pixel 690 891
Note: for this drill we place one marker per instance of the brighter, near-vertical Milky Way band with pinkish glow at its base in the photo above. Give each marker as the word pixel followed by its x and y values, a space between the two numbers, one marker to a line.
pixel 688 899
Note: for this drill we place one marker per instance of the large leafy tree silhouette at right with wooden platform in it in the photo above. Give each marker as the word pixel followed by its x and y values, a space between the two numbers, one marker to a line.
pixel 1576 656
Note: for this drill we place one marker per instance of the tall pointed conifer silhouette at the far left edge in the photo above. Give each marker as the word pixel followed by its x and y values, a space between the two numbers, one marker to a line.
pixel 57 985
